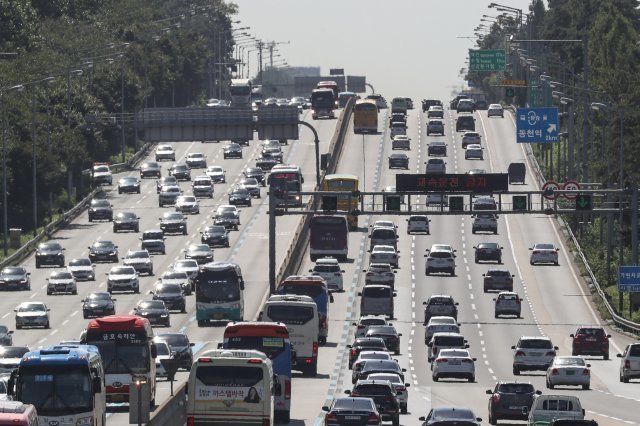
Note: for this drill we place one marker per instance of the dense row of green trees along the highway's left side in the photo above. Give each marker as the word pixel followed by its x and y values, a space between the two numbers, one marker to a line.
pixel 70 68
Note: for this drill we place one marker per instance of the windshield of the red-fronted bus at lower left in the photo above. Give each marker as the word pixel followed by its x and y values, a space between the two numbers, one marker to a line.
pixel 123 358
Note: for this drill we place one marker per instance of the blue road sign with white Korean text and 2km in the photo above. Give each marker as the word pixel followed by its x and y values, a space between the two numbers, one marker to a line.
pixel 537 125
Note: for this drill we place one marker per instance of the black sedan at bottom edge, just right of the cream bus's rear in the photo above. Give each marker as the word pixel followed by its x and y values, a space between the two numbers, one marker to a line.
pixel 352 411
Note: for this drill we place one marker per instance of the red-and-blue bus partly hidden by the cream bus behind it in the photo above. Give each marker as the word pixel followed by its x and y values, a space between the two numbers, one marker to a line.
pixel 272 339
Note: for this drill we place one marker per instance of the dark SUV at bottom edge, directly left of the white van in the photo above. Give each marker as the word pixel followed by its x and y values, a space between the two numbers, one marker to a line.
pixel 508 399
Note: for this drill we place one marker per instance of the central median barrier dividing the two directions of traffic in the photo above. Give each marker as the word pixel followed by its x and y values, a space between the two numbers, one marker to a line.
pixel 168 414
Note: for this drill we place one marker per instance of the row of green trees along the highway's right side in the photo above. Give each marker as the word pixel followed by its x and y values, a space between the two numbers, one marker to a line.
pixel 609 74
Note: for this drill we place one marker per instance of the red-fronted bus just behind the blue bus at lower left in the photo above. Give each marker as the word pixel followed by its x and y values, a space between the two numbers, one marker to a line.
pixel 126 346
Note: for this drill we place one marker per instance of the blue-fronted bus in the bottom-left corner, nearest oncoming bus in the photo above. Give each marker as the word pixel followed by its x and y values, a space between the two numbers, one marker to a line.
pixel 64 382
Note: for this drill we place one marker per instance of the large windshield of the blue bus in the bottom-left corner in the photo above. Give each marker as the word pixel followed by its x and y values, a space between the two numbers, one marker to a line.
pixel 56 389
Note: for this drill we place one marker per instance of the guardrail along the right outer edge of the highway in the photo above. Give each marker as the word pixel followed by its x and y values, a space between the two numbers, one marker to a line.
pixel 619 321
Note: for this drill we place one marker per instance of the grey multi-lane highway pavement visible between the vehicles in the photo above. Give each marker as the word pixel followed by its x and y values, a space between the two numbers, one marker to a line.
pixel 556 301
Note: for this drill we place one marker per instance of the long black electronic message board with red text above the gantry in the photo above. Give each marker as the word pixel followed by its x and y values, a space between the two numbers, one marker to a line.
pixel 483 183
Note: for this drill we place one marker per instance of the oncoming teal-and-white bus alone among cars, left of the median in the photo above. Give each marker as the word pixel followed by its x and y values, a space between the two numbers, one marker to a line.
pixel 219 292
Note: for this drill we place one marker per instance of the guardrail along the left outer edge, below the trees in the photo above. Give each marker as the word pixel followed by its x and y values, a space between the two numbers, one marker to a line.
pixel 70 214
